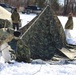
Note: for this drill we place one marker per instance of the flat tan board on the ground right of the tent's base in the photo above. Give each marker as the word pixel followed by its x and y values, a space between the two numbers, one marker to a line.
pixel 70 53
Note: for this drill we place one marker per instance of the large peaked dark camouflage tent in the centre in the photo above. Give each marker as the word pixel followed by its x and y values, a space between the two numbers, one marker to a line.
pixel 45 35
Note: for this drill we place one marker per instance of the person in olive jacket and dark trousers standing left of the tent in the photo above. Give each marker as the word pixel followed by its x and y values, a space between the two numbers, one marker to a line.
pixel 15 19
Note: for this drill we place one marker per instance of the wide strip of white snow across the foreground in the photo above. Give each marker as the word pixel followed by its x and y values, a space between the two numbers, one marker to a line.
pixel 36 69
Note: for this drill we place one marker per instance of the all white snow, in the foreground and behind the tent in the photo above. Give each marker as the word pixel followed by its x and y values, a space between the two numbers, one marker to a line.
pixel 56 68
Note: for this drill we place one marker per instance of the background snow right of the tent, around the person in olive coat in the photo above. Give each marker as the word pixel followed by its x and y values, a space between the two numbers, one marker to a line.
pixel 70 34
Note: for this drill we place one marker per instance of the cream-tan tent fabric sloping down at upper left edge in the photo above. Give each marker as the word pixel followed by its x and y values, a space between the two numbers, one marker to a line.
pixel 4 14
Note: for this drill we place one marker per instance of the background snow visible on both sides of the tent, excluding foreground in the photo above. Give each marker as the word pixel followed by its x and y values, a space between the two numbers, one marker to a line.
pixel 70 34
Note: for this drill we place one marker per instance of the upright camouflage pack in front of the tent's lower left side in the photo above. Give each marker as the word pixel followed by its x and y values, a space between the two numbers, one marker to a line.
pixel 22 52
